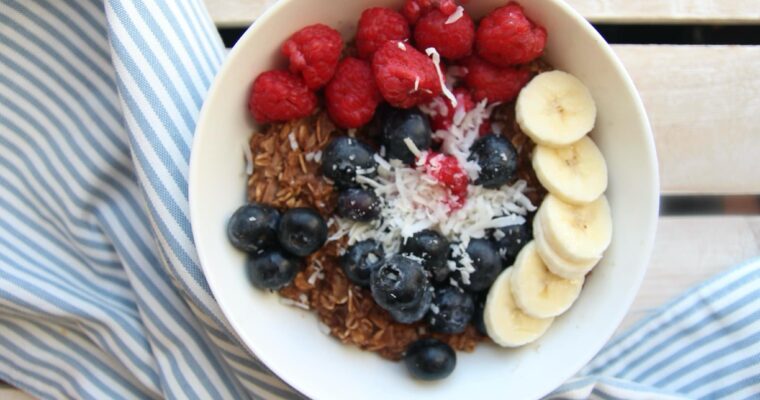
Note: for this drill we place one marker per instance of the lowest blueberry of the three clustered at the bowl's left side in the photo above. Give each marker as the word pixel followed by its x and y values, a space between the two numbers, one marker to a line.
pixel 272 269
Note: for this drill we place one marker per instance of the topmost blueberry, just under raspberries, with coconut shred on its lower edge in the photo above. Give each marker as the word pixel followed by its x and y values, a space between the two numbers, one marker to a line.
pixel 401 124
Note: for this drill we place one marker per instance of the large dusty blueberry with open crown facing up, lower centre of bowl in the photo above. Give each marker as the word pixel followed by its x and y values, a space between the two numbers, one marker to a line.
pixel 400 283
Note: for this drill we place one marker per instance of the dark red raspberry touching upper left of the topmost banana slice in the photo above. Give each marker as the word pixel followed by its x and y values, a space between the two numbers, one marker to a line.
pixel 487 81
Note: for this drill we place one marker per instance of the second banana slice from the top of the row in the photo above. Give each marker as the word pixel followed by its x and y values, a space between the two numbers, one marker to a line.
pixel 576 173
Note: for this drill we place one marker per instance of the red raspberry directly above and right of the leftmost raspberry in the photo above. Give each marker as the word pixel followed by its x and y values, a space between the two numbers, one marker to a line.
pixel 314 52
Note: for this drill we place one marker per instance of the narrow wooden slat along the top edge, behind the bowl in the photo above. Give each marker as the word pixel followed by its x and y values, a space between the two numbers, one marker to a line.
pixel 242 12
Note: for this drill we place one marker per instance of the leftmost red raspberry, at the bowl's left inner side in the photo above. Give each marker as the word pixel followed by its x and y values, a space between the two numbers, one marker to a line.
pixel 280 96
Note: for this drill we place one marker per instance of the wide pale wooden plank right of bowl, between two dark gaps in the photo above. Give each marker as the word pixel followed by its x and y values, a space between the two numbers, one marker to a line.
pixel 703 104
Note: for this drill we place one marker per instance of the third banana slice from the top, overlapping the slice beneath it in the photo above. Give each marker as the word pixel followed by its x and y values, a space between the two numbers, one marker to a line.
pixel 577 233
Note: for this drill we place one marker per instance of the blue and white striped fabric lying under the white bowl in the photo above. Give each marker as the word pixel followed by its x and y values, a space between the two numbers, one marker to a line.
pixel 101 295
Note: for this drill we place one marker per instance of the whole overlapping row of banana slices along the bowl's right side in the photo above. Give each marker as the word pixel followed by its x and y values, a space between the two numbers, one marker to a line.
pixel 573 225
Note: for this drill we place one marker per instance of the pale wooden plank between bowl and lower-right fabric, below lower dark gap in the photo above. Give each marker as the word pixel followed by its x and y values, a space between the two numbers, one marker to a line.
pixel 689 250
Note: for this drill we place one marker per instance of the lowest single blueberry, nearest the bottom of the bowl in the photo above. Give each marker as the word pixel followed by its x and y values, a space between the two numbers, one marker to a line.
pixel 430 359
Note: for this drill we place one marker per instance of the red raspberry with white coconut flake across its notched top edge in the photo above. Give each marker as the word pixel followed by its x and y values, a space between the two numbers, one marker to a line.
pixel 452 40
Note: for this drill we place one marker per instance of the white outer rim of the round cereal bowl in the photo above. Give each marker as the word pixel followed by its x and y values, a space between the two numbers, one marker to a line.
pixel 649 152
